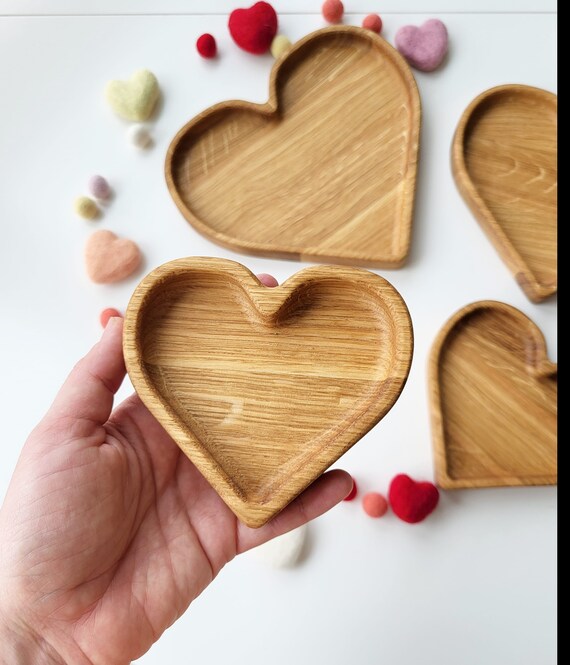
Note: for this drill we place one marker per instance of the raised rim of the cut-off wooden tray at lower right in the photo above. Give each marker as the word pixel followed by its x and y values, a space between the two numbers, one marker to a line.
pixel 542 367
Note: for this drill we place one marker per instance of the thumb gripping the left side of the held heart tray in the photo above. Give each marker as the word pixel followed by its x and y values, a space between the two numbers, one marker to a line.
pixel 88 391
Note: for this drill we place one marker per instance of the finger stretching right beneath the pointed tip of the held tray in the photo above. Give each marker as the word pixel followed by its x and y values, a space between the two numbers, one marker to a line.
pixel 322 495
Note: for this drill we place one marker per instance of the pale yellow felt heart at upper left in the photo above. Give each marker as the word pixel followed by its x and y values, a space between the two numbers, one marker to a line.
pixel 134 99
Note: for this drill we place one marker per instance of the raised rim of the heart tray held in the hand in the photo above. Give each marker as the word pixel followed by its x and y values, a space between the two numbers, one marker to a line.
pixel 251 513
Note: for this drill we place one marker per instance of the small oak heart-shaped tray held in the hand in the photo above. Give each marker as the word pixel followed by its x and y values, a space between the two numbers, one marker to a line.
pixel 263 389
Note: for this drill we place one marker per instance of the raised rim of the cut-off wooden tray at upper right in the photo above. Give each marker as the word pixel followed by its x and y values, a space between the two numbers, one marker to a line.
pixel 535 290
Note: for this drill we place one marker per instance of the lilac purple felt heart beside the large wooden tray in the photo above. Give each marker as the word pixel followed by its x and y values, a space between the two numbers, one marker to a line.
pixel 424 47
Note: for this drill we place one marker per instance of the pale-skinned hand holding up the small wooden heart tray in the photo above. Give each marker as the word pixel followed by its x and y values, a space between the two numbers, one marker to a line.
pixel 108 532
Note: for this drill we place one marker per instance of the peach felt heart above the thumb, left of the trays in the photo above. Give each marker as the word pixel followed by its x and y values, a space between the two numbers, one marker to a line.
pixel 109 258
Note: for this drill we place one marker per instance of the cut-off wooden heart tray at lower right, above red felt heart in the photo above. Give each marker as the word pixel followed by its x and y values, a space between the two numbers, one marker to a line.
pixel 493 395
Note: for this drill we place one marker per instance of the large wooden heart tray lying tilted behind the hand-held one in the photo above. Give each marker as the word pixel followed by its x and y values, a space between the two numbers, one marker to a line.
pixel 324 171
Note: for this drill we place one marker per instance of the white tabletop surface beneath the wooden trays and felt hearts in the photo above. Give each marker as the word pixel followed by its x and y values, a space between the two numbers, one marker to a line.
pixel 475 583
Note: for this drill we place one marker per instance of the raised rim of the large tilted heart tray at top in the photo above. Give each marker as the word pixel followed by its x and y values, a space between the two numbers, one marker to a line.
pixel 270 108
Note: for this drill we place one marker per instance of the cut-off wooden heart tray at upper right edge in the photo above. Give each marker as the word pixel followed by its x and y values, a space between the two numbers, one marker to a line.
pixel 504 160
